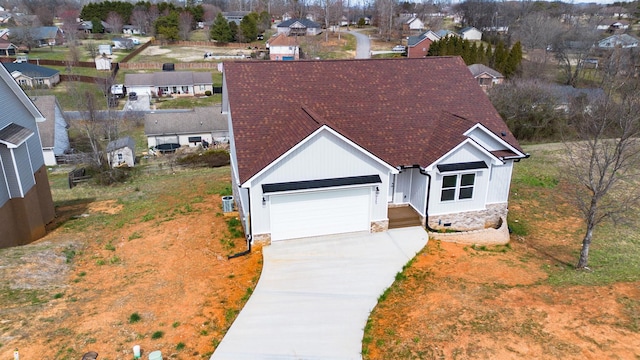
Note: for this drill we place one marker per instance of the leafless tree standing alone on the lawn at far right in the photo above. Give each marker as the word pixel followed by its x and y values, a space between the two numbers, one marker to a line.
pixel 604 162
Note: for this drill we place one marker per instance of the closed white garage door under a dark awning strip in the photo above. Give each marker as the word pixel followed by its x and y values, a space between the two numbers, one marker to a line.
pixel 320 213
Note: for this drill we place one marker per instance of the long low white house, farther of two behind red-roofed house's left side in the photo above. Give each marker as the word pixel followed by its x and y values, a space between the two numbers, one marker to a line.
pixel 180 83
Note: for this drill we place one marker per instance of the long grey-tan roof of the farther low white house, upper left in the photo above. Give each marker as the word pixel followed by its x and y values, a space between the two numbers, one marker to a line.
pixel 168 78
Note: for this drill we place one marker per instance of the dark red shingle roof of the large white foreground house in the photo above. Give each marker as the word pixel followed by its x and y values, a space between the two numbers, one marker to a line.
pixel 405 112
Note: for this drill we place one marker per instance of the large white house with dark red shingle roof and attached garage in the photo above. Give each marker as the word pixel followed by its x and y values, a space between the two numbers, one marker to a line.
pixel 328 156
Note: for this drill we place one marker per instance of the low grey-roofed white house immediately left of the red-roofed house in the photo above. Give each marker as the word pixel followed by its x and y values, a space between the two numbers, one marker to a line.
pixel 186 128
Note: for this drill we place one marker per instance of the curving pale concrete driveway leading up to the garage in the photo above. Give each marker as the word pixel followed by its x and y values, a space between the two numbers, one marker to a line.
pixel 315 295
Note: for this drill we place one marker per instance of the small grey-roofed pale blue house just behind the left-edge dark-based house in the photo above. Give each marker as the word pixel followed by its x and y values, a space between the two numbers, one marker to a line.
pixel 53 130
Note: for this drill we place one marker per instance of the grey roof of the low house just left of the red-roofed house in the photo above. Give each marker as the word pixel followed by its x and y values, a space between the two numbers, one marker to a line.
pixel 198 120
